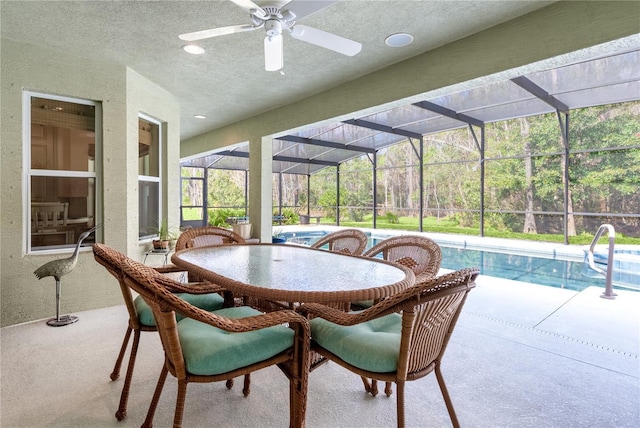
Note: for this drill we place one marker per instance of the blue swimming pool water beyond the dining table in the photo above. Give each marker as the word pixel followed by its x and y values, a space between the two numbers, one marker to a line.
pixel 553 272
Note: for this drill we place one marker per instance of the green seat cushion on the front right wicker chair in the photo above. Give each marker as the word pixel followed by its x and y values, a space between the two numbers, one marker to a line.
pixel 373 345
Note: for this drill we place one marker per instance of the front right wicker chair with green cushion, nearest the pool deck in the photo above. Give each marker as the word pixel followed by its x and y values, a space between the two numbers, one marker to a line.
pixel 400 339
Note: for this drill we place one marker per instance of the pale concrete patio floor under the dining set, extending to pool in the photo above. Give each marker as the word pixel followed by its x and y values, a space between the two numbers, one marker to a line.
pixel 522 355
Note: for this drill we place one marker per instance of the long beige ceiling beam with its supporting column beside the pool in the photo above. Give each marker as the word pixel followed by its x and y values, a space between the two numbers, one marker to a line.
pixel 521 45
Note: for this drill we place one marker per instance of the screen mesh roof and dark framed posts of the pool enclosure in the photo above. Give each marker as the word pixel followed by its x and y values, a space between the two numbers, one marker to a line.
pixel 600 81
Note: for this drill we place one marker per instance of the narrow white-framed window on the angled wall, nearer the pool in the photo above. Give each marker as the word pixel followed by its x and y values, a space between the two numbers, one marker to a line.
pixel 149 177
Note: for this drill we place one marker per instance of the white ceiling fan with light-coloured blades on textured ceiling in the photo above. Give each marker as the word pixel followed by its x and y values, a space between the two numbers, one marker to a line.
pixel 275 19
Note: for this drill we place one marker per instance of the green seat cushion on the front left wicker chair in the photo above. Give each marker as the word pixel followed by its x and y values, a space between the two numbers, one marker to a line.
pixel 209 350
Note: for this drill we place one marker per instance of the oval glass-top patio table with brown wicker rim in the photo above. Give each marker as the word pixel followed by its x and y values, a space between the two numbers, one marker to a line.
pixel 295 274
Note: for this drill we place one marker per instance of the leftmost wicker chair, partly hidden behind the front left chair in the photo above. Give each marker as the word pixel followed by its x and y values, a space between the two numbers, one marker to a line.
pixel 203 295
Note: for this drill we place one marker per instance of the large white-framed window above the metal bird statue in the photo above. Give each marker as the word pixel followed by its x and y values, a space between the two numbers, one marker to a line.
pixel 60 161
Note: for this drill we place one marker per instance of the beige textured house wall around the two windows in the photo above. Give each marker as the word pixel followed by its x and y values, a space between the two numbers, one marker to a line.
pixel 122 93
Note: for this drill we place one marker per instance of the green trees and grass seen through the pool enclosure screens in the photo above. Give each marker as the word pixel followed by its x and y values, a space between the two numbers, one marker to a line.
pixel 525 170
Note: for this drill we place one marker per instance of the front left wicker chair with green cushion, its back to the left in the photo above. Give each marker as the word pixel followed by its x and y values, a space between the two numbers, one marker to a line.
pixel 200 348
